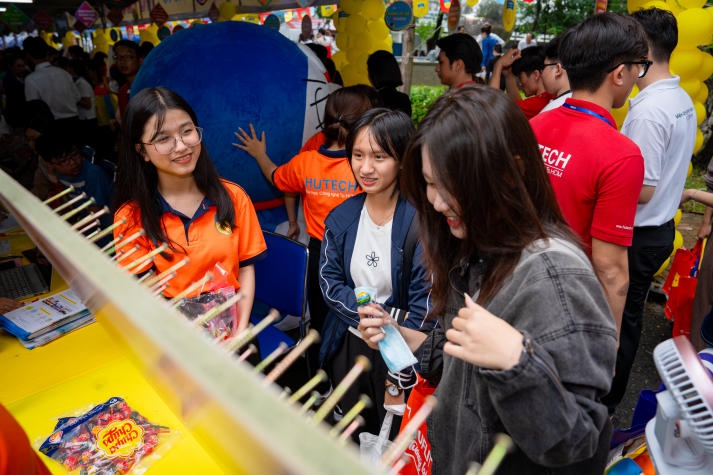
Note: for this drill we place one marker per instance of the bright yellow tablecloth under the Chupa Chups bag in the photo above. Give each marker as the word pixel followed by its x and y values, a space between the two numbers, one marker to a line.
pixel 78 371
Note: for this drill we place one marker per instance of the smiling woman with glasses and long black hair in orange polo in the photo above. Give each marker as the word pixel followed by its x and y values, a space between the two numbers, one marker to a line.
pixel 168 187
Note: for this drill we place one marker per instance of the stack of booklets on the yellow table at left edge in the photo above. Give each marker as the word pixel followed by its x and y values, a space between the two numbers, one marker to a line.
pixel 44 320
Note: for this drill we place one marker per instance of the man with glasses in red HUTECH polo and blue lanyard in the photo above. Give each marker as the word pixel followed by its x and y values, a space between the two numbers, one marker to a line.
pixel 596 172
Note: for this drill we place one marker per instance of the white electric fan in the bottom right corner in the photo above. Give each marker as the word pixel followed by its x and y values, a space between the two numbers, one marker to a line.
pixel 680 437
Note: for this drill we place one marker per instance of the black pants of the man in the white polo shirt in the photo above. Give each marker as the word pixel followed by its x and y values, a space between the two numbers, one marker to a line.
pixel 650 247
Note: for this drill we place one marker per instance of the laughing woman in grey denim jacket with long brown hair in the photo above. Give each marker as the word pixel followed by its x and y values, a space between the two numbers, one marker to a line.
pixel 527 344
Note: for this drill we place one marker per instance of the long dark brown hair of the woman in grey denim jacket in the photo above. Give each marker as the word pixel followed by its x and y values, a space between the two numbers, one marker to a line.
pixel 483 151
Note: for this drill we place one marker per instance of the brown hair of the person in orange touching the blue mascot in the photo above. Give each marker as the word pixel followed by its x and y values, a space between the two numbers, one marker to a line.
pixel 344 106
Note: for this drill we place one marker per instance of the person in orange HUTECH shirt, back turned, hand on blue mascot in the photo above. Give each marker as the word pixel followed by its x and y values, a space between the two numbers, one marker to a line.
pixel 322 177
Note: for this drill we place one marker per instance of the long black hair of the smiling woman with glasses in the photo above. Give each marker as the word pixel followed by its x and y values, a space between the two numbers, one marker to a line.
pixel 137 179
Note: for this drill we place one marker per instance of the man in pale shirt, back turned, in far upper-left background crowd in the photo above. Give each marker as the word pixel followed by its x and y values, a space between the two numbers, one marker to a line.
pixel 52 85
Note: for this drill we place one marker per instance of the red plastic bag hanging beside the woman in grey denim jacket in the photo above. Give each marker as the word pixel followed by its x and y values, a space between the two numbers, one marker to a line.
pixel 419 450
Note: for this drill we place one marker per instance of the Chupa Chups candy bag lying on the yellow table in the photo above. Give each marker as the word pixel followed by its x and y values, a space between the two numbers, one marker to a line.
pixel 111 438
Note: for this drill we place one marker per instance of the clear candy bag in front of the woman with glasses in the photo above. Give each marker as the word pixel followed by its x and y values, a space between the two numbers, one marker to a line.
pixel 223 325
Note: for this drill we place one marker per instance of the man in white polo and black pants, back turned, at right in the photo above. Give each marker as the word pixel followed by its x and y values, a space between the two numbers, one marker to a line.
pixel 662 122
